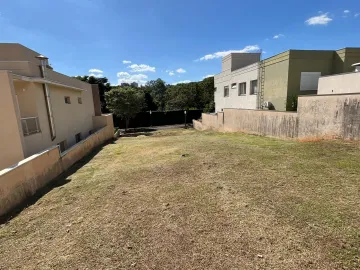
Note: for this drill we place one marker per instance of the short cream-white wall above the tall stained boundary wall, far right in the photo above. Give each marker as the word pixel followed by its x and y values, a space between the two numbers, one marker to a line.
pixel 340 84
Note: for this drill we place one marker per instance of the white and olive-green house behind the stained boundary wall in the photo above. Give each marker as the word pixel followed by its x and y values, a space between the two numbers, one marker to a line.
pixel 279 80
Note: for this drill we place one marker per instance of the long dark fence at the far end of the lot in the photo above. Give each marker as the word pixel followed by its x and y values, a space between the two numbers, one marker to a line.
pixel 145 119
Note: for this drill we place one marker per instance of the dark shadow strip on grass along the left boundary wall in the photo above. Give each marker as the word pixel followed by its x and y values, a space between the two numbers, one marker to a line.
pixel 59 181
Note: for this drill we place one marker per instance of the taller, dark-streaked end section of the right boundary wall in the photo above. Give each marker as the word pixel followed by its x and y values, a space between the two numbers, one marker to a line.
pixel 332 116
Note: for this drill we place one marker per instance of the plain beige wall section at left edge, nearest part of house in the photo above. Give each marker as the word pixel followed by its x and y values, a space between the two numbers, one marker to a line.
pixel 11 141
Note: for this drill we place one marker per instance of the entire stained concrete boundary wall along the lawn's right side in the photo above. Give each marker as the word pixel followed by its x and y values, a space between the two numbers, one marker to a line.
pixel 318 117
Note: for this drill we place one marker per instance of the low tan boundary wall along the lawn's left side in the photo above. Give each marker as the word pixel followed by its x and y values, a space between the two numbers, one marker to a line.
pixel 22 180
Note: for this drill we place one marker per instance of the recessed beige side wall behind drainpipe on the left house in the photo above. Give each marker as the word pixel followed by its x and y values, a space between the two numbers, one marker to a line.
pixel 69 119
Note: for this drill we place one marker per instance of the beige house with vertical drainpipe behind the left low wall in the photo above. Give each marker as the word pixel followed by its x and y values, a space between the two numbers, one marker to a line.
pixel 39 107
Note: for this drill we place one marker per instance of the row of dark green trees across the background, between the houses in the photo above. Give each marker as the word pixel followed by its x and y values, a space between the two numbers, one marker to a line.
pixel 126 100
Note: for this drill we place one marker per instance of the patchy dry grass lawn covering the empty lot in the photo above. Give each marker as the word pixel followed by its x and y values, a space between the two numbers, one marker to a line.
pixel 183 199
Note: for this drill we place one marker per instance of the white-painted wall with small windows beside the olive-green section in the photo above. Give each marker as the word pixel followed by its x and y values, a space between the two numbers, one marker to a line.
pixel 227 78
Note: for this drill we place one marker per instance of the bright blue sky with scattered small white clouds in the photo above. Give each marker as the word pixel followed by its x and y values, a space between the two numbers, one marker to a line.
pixel 173 40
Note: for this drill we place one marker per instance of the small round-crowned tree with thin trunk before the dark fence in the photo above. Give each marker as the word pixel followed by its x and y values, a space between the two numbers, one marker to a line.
pixel 125 102
